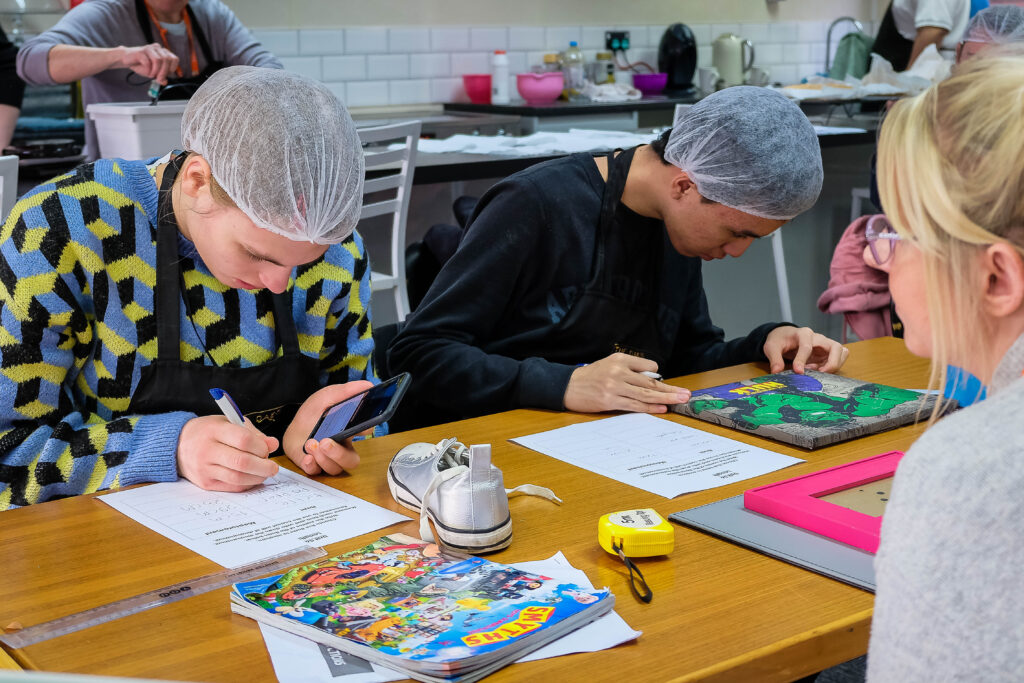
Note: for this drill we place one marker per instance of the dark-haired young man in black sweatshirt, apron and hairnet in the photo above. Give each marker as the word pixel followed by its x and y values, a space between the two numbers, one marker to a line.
pixel 584 261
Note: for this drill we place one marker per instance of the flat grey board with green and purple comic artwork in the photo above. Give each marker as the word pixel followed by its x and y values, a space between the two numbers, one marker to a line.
pixel 810 410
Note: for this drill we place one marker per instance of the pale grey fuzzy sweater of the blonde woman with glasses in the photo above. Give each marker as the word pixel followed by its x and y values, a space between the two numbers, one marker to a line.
pixel 951 605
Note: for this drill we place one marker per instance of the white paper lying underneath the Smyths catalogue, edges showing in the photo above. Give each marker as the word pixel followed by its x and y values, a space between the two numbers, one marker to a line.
pixel 300 661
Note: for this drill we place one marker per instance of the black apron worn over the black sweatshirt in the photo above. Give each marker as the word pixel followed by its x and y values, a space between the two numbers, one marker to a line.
pixel 618 310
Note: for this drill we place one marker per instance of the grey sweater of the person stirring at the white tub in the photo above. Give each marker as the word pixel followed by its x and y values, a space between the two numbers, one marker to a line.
pixel 114 23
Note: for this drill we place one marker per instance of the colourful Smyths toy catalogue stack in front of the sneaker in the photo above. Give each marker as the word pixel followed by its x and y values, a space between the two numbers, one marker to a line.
pixel 424 612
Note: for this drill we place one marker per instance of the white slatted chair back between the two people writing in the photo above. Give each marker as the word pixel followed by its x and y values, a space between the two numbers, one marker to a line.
pixel 393 169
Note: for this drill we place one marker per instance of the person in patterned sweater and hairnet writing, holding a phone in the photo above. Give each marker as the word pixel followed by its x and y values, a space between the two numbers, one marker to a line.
pixel 131 289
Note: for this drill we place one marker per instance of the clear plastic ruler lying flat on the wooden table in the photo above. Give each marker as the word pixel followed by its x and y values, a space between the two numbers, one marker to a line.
pixel 161 596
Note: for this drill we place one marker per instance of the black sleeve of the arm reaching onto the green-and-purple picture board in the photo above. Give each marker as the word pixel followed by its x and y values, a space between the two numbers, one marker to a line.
pixel 700 346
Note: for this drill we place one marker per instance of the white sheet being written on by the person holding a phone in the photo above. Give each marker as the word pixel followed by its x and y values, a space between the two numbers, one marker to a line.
pixel 286 513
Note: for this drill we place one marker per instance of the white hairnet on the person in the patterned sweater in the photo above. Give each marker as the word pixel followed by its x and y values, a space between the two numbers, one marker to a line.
pixel 283 148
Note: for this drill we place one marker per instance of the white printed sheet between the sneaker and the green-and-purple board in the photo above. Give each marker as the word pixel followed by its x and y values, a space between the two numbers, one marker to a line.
pixel 656 455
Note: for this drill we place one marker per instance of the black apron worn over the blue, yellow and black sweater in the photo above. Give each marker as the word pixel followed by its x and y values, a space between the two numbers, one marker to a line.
pixel 268 395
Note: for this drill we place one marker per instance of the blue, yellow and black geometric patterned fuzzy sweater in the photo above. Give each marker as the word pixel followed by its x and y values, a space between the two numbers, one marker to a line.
pixel 77 326
